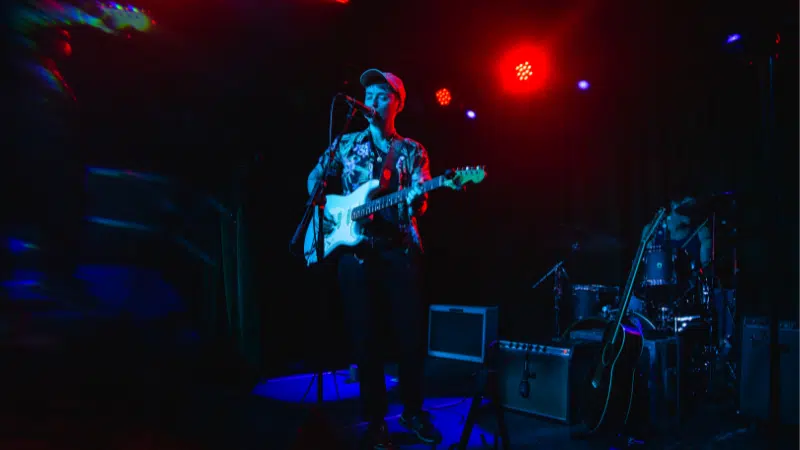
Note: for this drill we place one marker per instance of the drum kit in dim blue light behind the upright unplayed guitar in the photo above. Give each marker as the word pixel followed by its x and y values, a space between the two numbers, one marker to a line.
pixel 675 295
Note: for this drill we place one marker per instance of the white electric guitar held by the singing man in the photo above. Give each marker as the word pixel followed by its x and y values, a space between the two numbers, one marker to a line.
pixel 350 212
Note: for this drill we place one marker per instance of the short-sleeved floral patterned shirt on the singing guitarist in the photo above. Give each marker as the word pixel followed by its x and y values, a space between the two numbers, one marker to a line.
pixel 359 160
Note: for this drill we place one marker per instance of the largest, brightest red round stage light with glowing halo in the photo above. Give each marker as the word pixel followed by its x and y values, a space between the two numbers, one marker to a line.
pixel 523 69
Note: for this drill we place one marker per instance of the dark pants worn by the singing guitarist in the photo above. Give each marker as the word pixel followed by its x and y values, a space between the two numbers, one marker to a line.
pixel 382 292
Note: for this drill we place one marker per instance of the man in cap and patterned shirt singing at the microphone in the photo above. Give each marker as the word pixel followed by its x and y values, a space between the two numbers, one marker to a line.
pixel 380 280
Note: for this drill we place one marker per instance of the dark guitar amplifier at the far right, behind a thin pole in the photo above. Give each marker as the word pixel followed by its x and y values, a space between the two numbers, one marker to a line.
pixel 754 382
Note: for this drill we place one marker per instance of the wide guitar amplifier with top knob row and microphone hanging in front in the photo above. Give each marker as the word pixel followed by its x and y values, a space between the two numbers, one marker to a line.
pixel 556 373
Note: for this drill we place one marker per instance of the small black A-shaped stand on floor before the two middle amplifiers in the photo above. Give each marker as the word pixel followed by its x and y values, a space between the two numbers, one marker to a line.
pixel 487 385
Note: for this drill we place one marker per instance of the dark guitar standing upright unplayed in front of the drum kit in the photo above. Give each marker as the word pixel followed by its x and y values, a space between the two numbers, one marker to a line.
pixel 610 394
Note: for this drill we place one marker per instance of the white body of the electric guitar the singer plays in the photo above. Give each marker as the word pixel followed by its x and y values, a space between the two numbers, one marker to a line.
pixel 347 232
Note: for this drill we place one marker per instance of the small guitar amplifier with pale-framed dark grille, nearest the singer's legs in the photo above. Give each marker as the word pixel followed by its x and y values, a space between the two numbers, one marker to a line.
pixel 461 332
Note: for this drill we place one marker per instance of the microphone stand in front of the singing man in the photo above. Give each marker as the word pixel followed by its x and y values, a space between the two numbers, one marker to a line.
pixel 316 202
